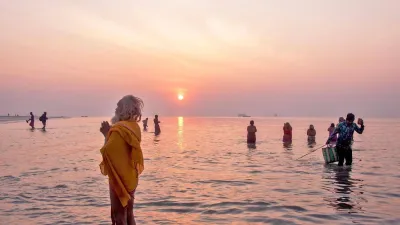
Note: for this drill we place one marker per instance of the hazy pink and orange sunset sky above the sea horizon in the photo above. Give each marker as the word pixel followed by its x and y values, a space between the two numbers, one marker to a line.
pixel 260 57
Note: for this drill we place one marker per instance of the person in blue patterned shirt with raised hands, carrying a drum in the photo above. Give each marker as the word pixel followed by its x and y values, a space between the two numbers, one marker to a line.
pixel 343 145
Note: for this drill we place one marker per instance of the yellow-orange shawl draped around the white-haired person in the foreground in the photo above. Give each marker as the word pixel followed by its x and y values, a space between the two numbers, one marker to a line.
pixel 123 159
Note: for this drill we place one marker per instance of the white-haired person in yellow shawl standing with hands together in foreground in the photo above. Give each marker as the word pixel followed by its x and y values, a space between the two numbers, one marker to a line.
pixel 123 158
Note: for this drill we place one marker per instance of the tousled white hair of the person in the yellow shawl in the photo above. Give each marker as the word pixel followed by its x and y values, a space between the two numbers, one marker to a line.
pixel 129 108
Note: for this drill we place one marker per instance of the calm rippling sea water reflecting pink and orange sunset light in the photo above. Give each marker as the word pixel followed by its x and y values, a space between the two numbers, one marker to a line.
pixel 201 171
